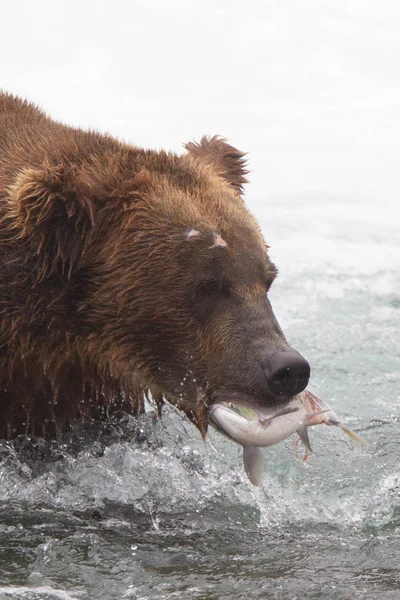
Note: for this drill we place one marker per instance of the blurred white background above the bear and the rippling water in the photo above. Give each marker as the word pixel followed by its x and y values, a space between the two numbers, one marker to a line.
pixel 310 88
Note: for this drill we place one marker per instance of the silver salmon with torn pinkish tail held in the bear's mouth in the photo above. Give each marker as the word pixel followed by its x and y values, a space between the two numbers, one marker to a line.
pixel 253 426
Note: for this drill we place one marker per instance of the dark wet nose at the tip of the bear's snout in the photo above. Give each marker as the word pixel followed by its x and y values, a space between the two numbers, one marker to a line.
pixel 287 373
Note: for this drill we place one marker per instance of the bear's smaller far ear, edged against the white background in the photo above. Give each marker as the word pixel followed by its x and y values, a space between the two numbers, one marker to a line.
pixel 227 160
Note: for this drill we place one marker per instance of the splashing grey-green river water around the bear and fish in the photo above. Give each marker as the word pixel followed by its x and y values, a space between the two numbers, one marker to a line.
pixel 146 511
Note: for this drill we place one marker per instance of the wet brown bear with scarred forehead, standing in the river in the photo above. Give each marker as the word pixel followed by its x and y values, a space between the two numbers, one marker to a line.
pixel 127 271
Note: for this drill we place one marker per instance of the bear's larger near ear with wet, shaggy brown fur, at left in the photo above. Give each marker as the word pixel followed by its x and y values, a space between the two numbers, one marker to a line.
pixel 53 207
